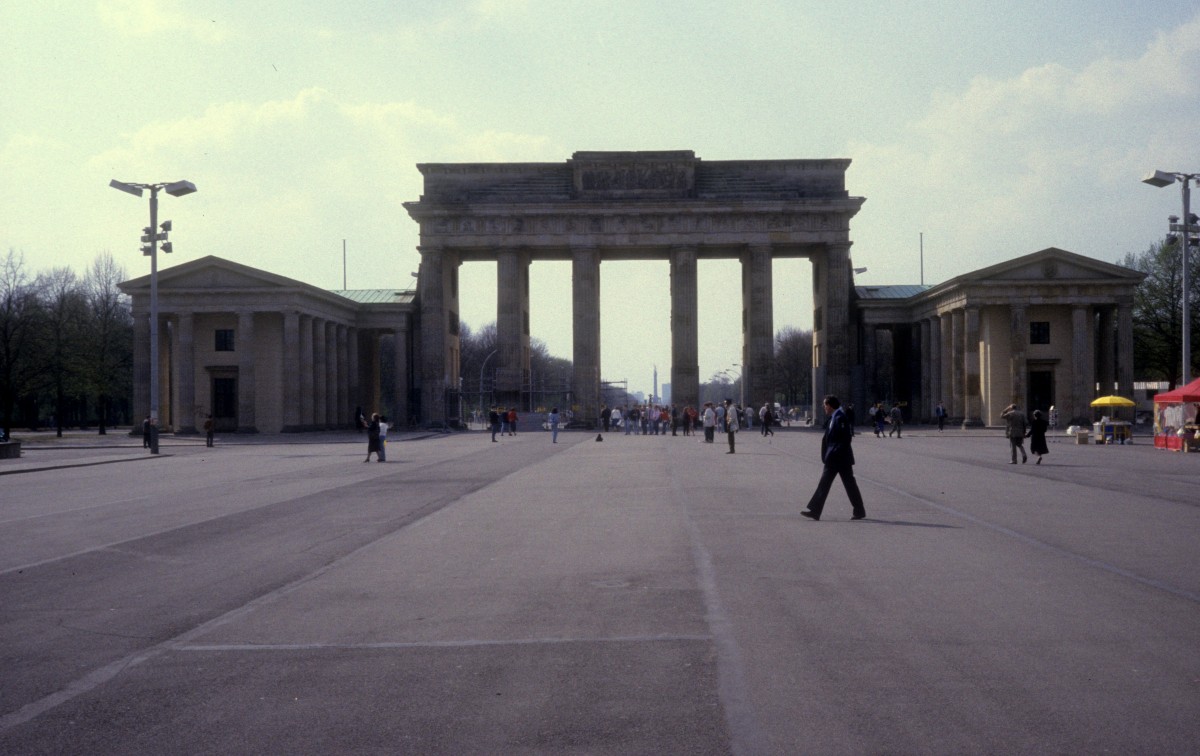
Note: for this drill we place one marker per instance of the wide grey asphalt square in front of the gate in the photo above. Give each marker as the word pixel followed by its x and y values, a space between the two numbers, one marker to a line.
pixel 639 596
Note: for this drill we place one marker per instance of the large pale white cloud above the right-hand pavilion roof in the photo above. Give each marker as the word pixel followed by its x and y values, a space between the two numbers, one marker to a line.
pixel 1048 158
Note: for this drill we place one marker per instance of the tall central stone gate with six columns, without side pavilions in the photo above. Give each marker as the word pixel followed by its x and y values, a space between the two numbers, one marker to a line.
pixel 599 207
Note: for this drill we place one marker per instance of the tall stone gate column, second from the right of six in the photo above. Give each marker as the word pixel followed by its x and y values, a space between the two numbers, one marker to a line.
pixel 759 338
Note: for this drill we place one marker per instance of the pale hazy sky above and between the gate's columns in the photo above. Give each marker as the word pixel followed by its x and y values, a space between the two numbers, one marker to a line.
pixel 977 133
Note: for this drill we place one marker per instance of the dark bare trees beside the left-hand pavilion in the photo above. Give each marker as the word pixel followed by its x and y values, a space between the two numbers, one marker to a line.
pixel 67 347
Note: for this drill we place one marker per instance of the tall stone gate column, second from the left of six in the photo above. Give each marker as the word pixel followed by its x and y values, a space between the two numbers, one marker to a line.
pixel 512 326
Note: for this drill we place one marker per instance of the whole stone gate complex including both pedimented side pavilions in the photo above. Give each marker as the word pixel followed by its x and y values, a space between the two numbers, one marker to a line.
pixel 266 353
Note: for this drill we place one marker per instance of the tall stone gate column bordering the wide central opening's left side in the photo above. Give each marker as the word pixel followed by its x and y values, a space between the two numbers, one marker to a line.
pixel 586 334
